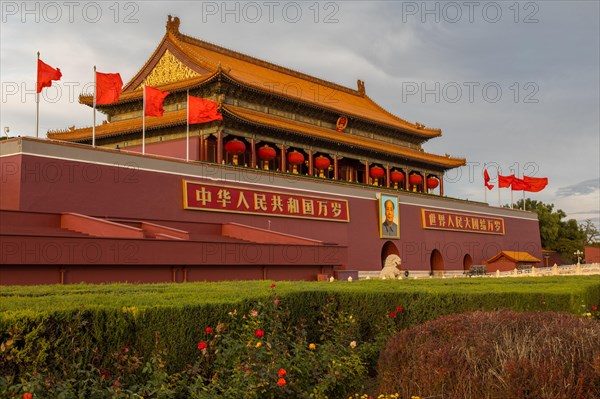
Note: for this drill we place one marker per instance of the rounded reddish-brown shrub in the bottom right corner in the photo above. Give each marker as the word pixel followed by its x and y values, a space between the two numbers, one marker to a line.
pixel 501 354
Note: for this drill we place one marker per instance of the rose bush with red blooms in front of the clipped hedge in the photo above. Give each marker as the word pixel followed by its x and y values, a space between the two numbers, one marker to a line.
pixel 265 354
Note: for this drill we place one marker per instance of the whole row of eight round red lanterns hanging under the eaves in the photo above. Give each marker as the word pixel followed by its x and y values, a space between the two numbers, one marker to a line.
pixel 295 158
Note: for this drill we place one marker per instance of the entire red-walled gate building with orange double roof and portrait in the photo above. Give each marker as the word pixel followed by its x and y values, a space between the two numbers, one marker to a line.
pixel 300 178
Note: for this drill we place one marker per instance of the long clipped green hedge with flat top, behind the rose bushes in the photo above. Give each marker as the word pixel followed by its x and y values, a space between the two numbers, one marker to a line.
pixel 43 327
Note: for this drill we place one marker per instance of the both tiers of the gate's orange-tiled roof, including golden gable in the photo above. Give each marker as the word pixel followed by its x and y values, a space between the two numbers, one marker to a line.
pixel 191 63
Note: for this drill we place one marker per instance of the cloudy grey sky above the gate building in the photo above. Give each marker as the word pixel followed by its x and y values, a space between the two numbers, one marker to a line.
pixel 514 85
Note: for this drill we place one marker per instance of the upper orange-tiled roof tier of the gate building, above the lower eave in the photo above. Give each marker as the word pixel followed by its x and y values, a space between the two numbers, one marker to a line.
pixel 261 75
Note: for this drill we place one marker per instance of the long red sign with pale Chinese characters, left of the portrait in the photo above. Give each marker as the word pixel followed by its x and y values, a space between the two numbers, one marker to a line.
pixel 222 198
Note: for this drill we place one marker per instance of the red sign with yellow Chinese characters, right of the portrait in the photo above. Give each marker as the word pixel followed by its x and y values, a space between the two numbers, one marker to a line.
pixel 455 221
